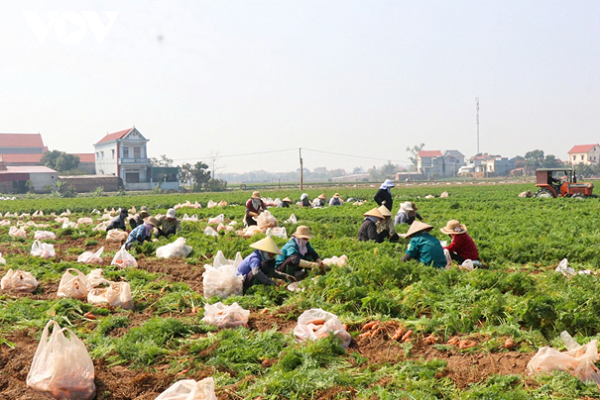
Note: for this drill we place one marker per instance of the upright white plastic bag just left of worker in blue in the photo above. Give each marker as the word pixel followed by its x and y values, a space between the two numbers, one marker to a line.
pixel 220 279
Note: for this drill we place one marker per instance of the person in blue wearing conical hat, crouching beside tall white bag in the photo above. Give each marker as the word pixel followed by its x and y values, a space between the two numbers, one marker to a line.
pixel 259 266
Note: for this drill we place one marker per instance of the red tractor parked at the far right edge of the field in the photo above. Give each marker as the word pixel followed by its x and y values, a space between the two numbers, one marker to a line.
pixel 565 186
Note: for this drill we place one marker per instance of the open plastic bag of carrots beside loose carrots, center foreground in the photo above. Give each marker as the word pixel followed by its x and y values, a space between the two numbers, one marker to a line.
pixel 315 323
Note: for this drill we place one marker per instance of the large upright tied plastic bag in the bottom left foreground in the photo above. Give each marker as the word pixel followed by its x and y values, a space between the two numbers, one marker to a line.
pixel 62 368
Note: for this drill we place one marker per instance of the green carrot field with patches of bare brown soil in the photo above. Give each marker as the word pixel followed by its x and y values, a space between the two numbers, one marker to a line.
pixel 138 354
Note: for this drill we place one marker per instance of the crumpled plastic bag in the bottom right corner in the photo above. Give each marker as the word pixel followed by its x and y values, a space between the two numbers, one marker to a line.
pixel 577 360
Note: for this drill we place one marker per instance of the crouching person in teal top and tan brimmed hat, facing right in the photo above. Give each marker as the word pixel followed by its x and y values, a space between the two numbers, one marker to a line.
pixel 298 253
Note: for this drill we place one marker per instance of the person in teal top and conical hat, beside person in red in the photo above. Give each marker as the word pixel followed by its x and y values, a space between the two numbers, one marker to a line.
pixel 423 247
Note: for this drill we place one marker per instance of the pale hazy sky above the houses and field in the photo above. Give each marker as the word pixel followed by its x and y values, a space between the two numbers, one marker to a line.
pixel 253 81
